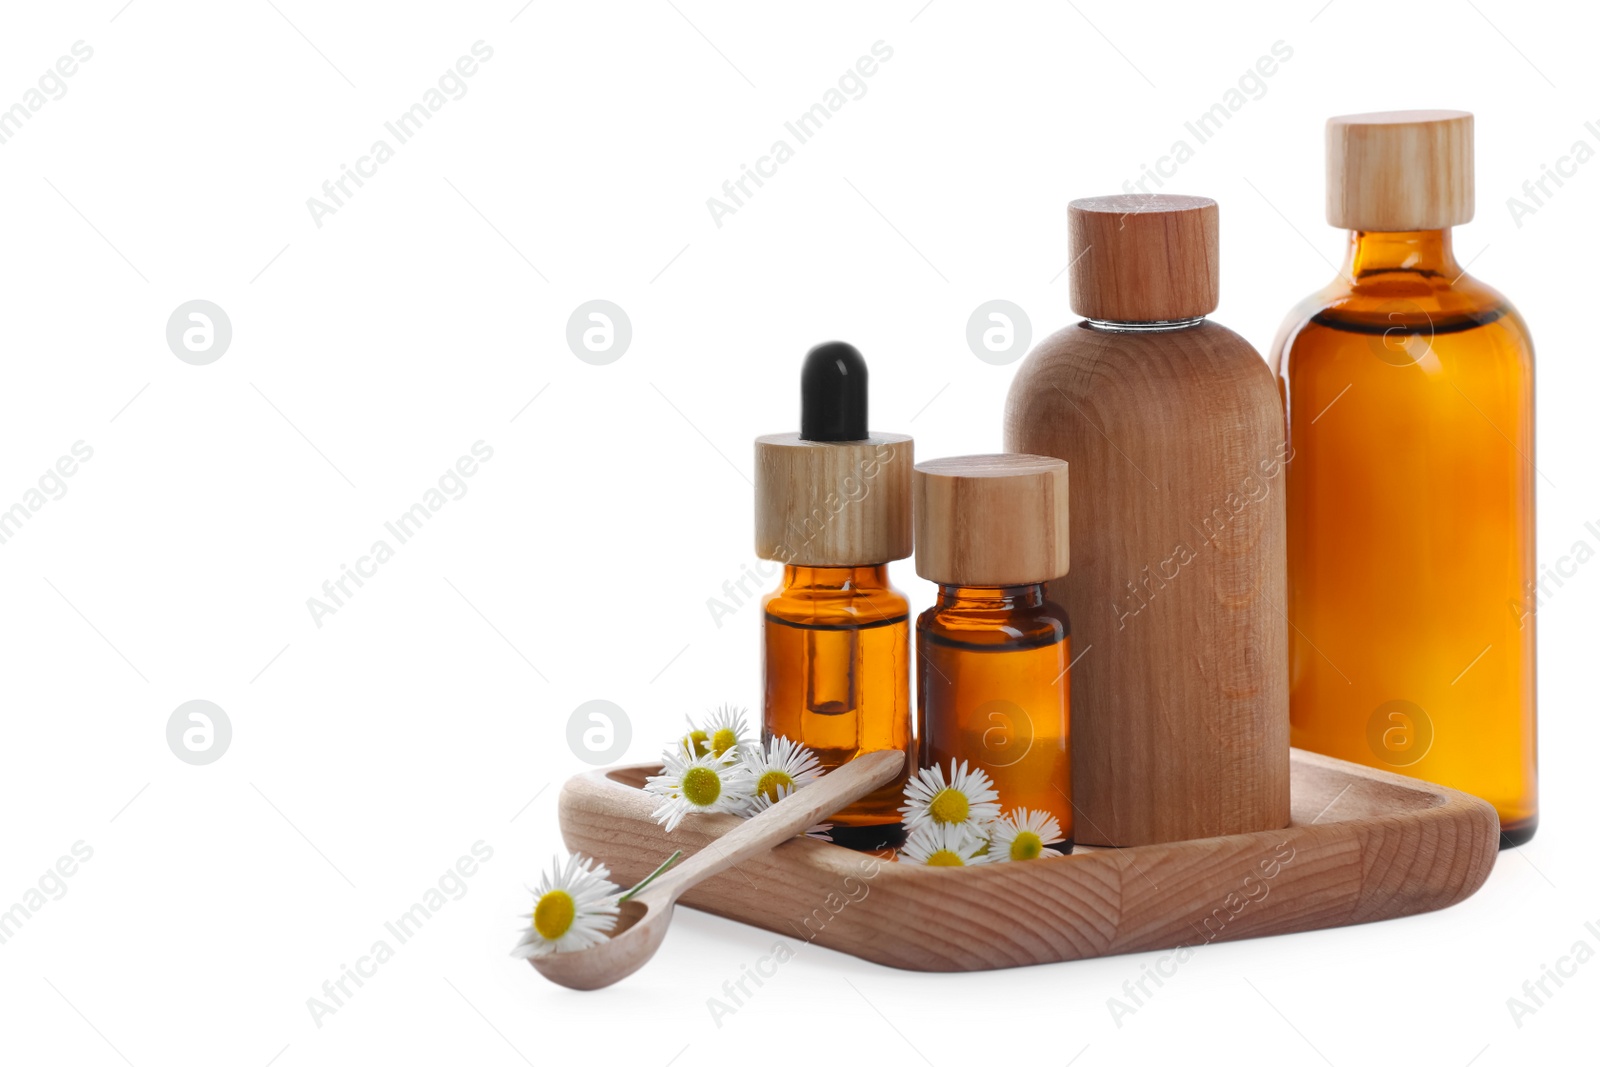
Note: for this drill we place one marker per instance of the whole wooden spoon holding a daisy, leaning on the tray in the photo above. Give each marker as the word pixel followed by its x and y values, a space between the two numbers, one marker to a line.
pixel 644 919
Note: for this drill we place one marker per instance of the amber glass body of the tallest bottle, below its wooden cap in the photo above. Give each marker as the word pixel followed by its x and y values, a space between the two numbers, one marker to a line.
pixel 1410 500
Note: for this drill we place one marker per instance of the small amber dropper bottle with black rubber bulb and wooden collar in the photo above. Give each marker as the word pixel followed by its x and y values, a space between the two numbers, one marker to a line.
pixel 833 505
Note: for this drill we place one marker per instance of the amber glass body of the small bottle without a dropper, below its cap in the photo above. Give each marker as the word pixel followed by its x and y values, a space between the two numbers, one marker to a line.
pixel 993 690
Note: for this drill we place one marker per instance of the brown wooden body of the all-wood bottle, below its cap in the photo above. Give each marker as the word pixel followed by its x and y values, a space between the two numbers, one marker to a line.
pixel 1180 693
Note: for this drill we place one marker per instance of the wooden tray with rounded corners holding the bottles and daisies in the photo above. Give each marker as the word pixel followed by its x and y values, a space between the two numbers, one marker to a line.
pixel 1362 845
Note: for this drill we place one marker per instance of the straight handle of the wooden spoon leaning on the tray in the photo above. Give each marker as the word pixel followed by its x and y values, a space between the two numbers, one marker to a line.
pixel 788 818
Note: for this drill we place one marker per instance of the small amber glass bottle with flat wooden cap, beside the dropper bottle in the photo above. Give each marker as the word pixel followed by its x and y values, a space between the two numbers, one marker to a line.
pixel 993 653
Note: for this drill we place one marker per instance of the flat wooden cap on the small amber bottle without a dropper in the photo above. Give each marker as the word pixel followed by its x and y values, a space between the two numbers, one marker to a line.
pixel 991 521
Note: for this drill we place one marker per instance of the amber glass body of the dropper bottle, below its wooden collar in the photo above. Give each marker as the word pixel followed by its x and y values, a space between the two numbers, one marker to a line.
pixel 836 645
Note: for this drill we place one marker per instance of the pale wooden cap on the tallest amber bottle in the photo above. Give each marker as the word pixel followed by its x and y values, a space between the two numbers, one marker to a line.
pixel 1401 170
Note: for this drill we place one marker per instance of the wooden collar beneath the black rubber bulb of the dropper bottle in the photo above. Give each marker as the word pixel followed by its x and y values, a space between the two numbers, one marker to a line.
pixel 833 503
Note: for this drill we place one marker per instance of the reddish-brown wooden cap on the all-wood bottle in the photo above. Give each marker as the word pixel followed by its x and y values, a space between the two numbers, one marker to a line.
pixel 1143 258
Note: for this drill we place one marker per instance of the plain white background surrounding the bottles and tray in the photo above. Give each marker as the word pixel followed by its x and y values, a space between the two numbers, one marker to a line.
pixel 430 713
